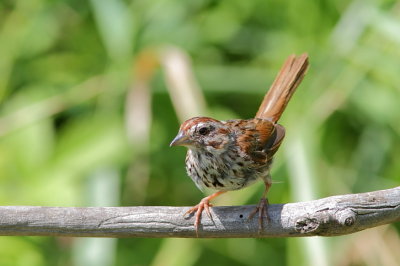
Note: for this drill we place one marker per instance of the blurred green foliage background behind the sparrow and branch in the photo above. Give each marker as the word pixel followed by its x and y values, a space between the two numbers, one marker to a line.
pixel 86 117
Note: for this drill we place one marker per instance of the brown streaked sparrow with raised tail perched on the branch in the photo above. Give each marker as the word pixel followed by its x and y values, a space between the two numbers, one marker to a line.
pixel 230 155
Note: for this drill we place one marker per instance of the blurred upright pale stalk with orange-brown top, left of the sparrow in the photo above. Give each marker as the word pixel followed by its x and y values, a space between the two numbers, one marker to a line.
pixel 138 120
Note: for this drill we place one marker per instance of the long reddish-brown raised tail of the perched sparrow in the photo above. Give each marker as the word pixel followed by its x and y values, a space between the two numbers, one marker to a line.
pixel 282 89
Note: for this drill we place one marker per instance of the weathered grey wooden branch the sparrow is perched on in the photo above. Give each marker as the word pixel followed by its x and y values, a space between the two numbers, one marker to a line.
pixel 337 215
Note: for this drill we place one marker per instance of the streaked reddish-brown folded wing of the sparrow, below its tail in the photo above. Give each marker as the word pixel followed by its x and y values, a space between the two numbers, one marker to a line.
pixel 260 139
